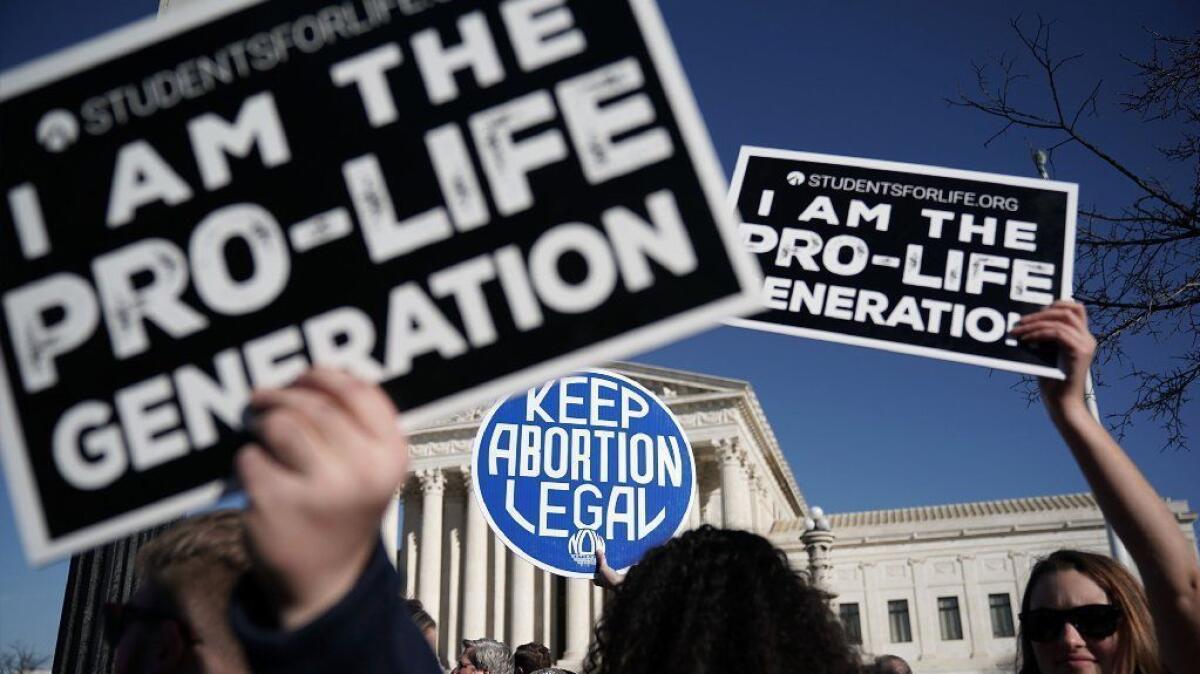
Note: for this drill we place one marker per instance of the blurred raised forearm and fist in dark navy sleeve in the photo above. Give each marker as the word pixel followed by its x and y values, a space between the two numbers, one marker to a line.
pixel 326 598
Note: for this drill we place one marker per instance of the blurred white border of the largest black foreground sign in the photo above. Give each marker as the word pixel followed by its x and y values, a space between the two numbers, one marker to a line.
pixel 41 550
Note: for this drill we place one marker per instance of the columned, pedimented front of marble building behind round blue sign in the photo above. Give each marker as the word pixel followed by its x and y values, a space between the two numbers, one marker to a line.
pixel 475 587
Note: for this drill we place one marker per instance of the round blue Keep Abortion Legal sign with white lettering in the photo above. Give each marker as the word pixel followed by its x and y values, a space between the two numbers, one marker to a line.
pixel 587 462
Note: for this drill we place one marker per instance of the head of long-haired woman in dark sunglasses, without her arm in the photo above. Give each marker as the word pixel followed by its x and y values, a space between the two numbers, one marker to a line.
pixel 1084 613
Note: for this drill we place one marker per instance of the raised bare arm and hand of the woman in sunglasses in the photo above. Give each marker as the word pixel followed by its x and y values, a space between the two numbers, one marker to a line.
pixel 1166 559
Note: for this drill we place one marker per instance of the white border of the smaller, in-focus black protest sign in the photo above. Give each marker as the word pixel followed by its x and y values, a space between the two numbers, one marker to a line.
pixel 1069 261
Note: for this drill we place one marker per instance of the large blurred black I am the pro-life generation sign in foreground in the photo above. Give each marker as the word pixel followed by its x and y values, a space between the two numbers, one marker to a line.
pixel 455 198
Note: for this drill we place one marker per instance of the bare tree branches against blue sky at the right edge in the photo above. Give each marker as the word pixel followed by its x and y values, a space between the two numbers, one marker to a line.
pixel 1138 266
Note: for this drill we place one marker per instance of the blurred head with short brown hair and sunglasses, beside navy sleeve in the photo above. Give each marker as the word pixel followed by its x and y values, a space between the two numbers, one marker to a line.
pixel 177 621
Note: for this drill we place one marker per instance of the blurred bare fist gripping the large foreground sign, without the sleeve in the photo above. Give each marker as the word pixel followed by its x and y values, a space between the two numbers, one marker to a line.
pixel 332 456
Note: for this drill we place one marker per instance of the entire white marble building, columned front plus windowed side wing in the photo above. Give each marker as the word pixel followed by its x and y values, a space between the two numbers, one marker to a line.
pixel 929 585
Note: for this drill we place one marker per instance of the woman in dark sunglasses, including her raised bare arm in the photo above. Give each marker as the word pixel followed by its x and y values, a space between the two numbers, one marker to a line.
pixel 1084 613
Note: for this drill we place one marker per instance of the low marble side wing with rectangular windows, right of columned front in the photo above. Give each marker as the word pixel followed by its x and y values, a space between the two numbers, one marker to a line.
pixel 941 586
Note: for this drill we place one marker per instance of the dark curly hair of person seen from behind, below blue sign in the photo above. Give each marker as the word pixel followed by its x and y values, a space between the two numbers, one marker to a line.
pixel 718 601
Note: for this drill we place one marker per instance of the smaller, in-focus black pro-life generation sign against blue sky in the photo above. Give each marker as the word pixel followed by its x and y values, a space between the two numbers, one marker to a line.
pixel 915 260
